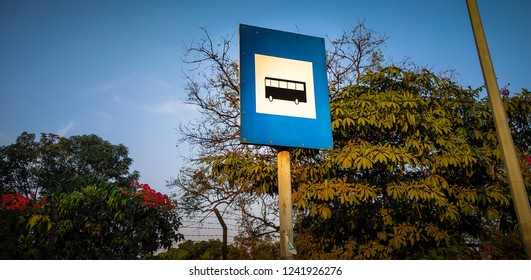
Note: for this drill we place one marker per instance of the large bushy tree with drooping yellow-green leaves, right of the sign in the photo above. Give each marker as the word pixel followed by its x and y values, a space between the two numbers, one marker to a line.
pixel 416 170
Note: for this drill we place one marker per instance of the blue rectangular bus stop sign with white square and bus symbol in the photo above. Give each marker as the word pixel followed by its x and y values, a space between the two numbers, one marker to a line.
pixel 283 89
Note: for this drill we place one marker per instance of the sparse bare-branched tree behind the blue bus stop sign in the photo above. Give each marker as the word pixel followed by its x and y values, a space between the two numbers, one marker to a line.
pixel 213 88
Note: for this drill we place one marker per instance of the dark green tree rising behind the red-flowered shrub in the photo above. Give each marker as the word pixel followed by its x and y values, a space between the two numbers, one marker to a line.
pixel 54 164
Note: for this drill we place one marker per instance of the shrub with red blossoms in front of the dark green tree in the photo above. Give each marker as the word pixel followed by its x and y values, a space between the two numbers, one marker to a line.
pixel 96 222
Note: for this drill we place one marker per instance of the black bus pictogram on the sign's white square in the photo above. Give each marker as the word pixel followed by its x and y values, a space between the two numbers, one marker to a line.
pixel 285 90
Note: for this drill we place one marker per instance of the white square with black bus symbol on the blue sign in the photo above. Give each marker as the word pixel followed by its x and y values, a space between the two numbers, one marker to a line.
pixel 284 87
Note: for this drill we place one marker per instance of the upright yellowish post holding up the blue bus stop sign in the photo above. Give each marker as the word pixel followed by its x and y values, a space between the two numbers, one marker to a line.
pixel 285 204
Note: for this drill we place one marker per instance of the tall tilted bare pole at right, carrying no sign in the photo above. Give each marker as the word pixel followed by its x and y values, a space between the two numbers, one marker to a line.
pixel 518 191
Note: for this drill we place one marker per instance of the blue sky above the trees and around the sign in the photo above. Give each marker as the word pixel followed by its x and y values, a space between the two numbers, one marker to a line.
pixel 113 68
